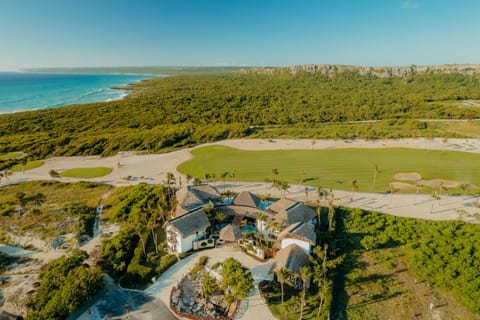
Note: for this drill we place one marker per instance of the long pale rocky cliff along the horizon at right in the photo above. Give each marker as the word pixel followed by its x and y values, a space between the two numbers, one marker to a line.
pixel 382 72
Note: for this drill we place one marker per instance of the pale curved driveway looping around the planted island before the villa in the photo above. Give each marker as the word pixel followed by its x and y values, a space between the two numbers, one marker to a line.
pixel 152 303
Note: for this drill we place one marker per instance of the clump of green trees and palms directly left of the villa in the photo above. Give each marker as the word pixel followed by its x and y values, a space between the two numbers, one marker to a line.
pixel 136 253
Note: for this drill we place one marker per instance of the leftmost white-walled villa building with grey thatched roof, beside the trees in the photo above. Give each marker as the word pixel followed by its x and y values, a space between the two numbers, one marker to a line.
pixel 185 229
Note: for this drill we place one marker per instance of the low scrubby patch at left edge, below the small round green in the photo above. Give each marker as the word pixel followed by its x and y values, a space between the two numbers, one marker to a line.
pixel 48 209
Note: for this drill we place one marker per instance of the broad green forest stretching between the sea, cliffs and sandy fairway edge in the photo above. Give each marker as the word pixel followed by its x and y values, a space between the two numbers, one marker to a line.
pixel 173 112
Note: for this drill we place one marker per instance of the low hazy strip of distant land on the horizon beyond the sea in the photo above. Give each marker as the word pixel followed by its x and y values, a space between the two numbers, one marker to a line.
pixel 138 70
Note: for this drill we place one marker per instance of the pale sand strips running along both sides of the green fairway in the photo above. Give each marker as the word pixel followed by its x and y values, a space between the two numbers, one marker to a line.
pixel 152 168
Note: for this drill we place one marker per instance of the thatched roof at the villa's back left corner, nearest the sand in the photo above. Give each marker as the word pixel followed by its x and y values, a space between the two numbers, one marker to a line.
pixel 194 196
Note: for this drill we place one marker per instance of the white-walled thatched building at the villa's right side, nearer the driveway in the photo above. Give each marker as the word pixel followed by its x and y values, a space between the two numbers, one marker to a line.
pixel 301 234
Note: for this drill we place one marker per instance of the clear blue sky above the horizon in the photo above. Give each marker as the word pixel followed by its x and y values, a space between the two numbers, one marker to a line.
pixel 49 33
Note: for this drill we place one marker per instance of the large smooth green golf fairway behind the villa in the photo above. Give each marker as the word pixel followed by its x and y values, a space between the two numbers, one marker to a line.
pixel 335 168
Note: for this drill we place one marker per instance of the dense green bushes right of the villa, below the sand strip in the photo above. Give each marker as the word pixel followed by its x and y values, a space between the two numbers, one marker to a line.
pixel 446 255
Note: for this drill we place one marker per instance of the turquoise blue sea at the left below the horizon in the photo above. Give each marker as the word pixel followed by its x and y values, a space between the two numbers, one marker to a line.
pixel 21 91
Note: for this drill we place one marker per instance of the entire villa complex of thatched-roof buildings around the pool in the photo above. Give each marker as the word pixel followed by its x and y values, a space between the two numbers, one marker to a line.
pixel 289 223
